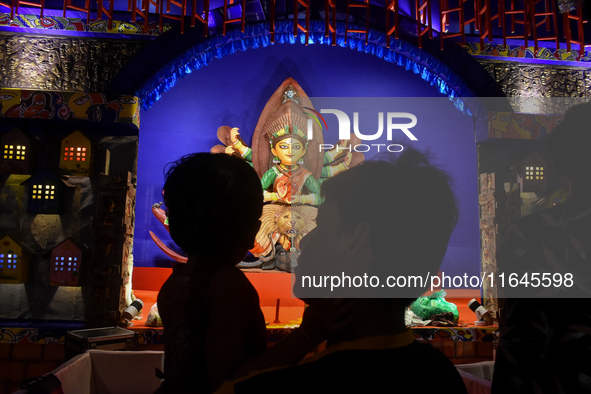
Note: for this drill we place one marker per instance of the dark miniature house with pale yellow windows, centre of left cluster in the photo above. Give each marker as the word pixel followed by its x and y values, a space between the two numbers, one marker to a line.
pixel 44 193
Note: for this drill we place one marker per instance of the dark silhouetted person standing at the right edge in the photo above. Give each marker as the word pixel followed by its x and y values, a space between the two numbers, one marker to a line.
pixel 545 343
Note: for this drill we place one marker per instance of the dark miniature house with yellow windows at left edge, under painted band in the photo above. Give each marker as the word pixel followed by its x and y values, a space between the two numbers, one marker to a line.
pixel 17 157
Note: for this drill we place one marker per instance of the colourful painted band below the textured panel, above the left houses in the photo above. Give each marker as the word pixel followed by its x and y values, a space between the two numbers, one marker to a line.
pixel 97 107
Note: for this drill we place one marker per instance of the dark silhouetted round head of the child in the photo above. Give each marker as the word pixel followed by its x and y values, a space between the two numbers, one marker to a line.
pixel 214 203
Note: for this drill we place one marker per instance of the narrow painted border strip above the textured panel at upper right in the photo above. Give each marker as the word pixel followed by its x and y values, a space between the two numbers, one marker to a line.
pixel 529 52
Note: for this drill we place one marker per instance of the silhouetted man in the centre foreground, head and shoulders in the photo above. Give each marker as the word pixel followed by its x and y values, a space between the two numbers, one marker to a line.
pixel 377 218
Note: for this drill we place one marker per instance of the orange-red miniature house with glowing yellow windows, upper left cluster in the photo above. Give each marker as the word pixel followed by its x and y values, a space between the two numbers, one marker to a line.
pixel 76 154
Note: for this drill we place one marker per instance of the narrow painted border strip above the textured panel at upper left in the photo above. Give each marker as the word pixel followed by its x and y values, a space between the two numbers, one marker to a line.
pixel 79 24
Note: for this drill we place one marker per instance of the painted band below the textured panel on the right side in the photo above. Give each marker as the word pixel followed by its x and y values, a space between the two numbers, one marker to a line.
pixel 521 126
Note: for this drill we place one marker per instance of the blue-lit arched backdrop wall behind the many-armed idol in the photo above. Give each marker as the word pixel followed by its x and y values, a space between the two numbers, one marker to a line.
pixel 232 91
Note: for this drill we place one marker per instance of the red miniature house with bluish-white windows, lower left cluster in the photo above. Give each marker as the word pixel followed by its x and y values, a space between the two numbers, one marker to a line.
pixel 65 264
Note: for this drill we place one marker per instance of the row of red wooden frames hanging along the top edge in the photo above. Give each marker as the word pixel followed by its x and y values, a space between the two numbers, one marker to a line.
pixel 524 20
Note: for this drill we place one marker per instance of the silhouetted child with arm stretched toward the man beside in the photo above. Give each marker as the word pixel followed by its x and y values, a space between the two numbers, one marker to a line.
pixel 214 328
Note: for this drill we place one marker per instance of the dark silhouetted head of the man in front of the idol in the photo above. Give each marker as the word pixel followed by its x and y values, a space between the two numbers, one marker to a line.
pixel 383 218
